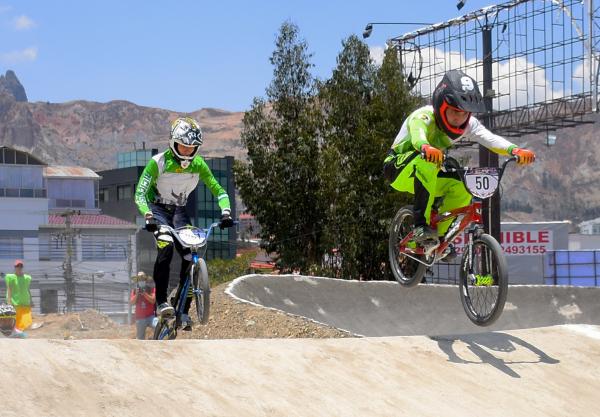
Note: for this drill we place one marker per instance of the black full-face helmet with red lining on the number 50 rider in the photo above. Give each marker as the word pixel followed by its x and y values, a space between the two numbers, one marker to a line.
pixel 458 91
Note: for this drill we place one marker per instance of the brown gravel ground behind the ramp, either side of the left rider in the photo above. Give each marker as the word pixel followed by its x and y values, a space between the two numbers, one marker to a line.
pixel 229 319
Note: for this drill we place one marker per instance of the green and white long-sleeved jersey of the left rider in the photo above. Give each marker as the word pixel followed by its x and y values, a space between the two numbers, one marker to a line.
pixel 165 181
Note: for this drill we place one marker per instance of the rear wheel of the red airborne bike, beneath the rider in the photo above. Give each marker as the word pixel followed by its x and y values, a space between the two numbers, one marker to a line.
pixel 408 272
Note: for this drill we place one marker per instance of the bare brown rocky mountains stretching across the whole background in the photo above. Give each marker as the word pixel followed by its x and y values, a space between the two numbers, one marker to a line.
pixel 563 184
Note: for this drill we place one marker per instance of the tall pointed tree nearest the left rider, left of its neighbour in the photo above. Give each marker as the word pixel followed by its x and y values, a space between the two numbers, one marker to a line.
pixel 279 184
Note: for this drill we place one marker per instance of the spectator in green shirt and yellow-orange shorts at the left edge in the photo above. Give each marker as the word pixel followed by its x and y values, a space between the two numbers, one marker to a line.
pixel 18 293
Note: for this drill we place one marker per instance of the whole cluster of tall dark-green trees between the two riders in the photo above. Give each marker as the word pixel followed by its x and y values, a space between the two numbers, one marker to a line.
pixel 314 178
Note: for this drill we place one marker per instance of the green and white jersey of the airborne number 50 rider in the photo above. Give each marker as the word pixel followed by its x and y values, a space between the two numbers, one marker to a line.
pixel 420 128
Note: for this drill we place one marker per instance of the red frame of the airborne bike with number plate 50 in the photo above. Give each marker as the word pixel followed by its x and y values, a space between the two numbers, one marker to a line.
pixel 465 216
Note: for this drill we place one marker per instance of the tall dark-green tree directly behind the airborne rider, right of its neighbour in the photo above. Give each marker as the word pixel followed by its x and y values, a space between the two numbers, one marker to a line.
pixel 365 107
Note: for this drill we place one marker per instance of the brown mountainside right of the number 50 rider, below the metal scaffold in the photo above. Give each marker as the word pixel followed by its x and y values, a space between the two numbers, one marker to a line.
pixel 563 183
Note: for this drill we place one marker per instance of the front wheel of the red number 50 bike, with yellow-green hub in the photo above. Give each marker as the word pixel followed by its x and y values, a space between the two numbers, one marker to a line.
pixel 483 281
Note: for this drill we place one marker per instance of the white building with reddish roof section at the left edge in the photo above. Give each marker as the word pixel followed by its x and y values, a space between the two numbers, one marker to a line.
pixel 34 199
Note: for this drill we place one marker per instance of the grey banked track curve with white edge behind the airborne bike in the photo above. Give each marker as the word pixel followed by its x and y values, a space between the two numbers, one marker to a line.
pixel 378 308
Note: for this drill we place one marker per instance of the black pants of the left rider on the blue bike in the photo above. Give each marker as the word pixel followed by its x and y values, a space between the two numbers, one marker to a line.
pixel 174 216
